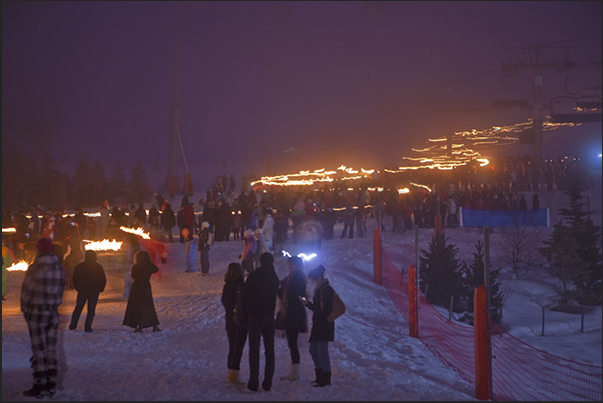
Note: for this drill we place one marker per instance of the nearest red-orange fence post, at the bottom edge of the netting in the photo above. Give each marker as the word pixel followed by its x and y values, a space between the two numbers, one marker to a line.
pixel 483 387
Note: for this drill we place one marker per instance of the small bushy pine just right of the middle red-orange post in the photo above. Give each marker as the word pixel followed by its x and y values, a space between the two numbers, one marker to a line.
pixel 440 272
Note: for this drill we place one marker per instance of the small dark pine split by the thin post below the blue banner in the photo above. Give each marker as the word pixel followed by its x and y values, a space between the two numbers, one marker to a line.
pixel 473 277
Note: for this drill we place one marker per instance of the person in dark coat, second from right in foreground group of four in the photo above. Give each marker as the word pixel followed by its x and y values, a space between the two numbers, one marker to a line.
pixel 295 319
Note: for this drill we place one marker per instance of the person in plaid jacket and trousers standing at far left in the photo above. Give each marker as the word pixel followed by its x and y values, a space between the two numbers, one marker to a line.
pixel 41 295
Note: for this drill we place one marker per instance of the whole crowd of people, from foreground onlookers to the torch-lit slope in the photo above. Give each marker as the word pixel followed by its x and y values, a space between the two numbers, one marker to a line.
pixel 256 302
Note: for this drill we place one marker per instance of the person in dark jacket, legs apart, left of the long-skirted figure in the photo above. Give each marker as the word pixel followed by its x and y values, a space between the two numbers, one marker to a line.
pixel 89 281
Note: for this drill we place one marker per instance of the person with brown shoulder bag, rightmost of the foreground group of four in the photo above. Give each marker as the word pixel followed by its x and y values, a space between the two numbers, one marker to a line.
pixel 322 331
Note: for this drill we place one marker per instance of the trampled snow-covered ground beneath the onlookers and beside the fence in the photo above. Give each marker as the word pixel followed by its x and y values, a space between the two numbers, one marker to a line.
pixel 373 358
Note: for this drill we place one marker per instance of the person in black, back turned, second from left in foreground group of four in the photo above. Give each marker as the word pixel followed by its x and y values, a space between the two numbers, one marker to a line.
pixel 259 301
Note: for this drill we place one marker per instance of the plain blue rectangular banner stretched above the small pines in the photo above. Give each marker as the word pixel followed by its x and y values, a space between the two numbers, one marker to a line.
pixel 504 218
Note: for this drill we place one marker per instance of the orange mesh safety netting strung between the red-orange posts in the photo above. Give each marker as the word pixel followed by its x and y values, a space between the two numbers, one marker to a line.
pixel 519 371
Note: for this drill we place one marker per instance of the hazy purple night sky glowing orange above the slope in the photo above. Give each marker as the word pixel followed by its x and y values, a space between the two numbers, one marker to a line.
pixel 336 81
